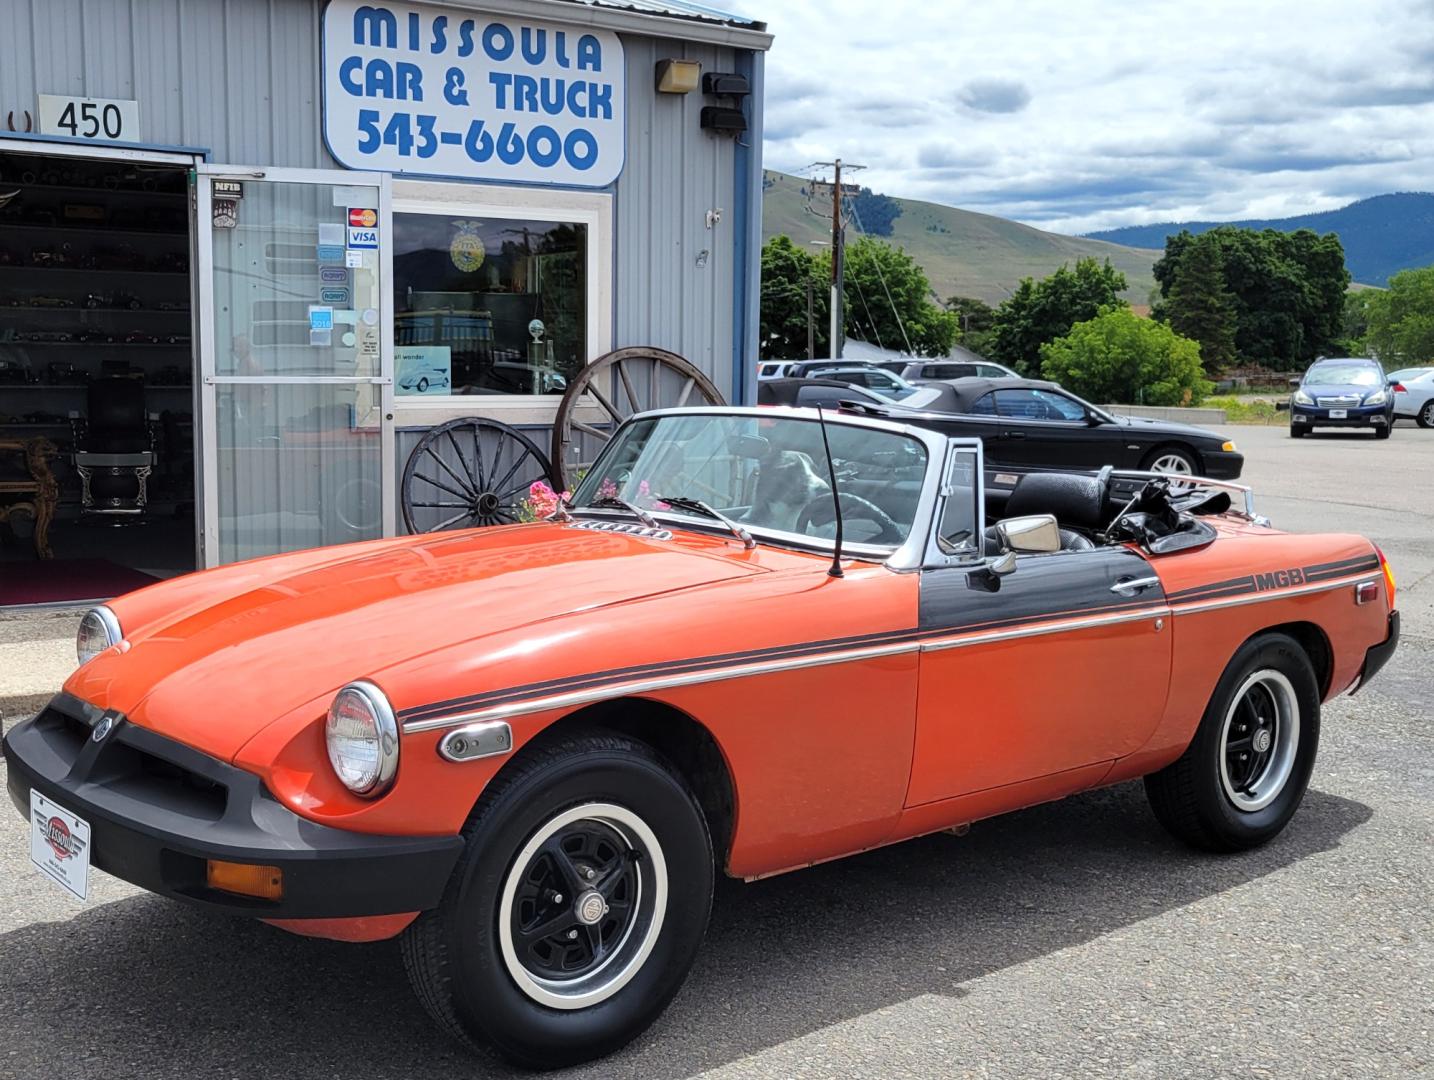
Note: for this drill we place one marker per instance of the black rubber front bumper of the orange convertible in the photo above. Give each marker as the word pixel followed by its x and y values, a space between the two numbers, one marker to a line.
pixel 158 811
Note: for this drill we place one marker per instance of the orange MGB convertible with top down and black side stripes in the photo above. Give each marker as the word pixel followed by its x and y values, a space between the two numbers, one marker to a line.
pixel 752 640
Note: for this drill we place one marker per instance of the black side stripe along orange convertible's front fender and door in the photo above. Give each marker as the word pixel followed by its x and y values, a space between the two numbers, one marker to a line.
pixel 695 665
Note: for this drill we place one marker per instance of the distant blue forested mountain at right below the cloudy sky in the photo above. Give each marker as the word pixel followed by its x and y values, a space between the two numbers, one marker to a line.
pixel 1382 236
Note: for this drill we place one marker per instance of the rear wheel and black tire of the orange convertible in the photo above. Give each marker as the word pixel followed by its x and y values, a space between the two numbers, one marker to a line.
pixel 1245 772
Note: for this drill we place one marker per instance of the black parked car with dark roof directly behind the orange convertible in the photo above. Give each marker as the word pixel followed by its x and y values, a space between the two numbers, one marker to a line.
pixel 1029 425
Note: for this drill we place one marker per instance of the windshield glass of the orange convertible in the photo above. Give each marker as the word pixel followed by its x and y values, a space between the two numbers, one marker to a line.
pixel 769 474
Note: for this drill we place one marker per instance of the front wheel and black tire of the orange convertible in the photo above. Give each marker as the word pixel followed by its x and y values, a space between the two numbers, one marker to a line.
pixel 577 909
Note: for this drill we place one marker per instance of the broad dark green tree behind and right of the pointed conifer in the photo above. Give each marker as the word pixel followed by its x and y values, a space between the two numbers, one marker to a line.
pixel 1287 290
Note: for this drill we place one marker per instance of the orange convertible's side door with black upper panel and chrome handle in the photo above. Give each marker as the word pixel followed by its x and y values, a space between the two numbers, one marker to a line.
pixel 1060 665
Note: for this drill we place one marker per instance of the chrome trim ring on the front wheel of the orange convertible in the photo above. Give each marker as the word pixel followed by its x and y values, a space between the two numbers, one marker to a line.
pixel 627 957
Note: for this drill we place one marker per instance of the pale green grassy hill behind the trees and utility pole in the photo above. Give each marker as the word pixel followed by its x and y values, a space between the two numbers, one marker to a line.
pixel 963 253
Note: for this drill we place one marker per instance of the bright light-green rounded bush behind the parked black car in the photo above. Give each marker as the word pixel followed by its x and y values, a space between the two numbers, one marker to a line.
pixel 1121 358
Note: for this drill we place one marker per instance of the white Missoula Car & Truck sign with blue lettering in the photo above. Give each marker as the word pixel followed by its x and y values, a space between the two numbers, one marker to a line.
pixel 437 93
